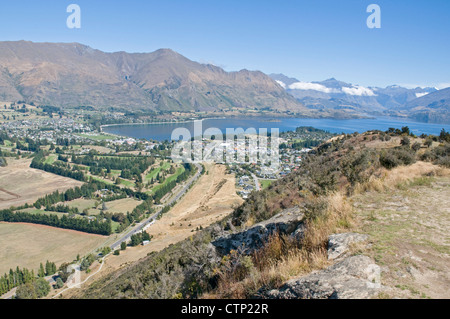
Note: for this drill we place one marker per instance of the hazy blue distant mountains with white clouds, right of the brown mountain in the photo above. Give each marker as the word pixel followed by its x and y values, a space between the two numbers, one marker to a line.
pixel 425 104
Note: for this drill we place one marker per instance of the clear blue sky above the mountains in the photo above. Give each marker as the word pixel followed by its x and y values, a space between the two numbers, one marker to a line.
pixel 309 40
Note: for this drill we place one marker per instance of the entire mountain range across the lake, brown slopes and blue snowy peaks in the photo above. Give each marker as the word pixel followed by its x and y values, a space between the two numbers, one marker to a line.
pixel 73 74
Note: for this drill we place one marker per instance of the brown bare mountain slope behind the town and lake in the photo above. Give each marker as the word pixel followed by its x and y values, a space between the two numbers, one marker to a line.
pixel 72 74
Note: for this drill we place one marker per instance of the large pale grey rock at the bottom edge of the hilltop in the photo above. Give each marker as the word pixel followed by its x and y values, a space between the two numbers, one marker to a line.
pixel 355 277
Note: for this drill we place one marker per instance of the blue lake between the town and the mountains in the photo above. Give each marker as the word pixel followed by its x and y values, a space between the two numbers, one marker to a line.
pixel 164 131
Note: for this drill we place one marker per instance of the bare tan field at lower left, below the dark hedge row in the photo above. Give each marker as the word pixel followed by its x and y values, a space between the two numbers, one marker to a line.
pixel 27 245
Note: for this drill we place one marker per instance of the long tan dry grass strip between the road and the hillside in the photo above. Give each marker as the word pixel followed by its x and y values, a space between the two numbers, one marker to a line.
pixel 211 198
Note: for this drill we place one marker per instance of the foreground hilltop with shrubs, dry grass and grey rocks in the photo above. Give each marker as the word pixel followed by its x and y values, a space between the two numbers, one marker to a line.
pixel 365 216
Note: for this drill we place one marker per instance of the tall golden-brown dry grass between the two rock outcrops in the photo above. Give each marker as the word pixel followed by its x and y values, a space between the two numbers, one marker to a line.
pixel 284 257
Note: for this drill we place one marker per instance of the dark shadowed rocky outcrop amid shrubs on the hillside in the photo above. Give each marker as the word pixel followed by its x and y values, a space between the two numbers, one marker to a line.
pixel 286 222
